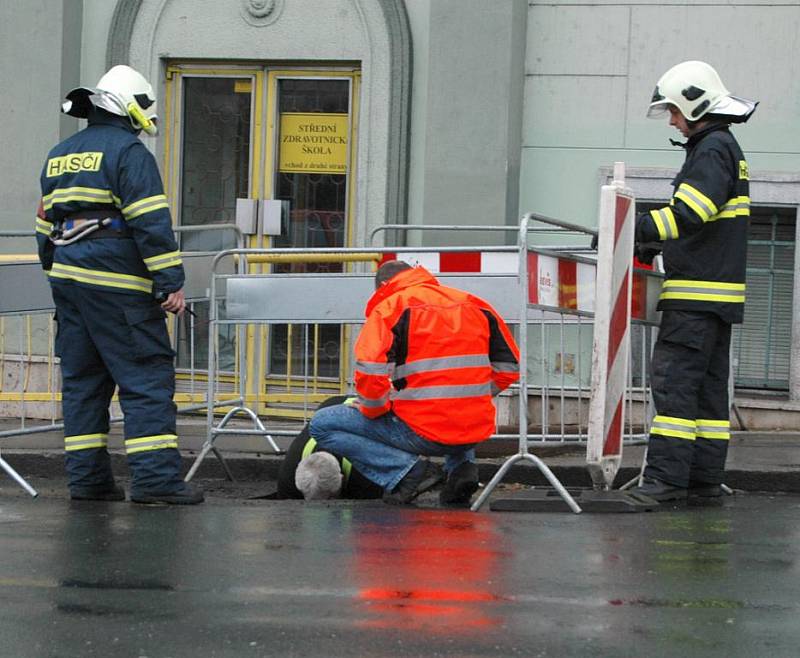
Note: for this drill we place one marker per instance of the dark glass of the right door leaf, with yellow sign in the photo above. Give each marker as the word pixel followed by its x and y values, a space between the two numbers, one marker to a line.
pixel 313 166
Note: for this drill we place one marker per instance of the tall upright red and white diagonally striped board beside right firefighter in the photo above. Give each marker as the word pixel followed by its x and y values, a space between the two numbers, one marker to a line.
pixel 611 343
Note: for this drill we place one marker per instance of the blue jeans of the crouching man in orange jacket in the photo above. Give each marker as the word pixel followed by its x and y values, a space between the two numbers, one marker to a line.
pixel 382 449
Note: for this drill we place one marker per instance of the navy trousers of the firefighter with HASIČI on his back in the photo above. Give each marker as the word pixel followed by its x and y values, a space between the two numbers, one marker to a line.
pixel 106 340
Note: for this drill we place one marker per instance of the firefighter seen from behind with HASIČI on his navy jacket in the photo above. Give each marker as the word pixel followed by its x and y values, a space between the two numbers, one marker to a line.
pixel 105 240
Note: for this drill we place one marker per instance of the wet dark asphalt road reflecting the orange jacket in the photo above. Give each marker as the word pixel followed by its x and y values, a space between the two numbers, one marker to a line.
pixel 261 578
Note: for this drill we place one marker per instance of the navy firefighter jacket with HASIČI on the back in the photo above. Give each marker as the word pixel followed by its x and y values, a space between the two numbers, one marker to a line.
pixel 106 167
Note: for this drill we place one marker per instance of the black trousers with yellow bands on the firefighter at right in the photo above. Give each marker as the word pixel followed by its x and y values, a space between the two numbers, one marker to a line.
pixel 690 433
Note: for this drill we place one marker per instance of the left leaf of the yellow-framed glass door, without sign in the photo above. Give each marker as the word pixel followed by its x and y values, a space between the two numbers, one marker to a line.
pixel 211 140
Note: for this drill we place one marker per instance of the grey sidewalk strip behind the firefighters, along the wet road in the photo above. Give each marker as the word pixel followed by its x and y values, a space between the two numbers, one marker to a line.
pixel 757 461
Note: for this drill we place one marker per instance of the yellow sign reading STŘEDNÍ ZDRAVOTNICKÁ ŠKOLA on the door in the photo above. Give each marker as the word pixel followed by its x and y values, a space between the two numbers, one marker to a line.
pixel 313 143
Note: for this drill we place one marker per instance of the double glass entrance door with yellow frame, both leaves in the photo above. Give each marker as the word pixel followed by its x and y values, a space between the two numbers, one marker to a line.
pixel 263 133
